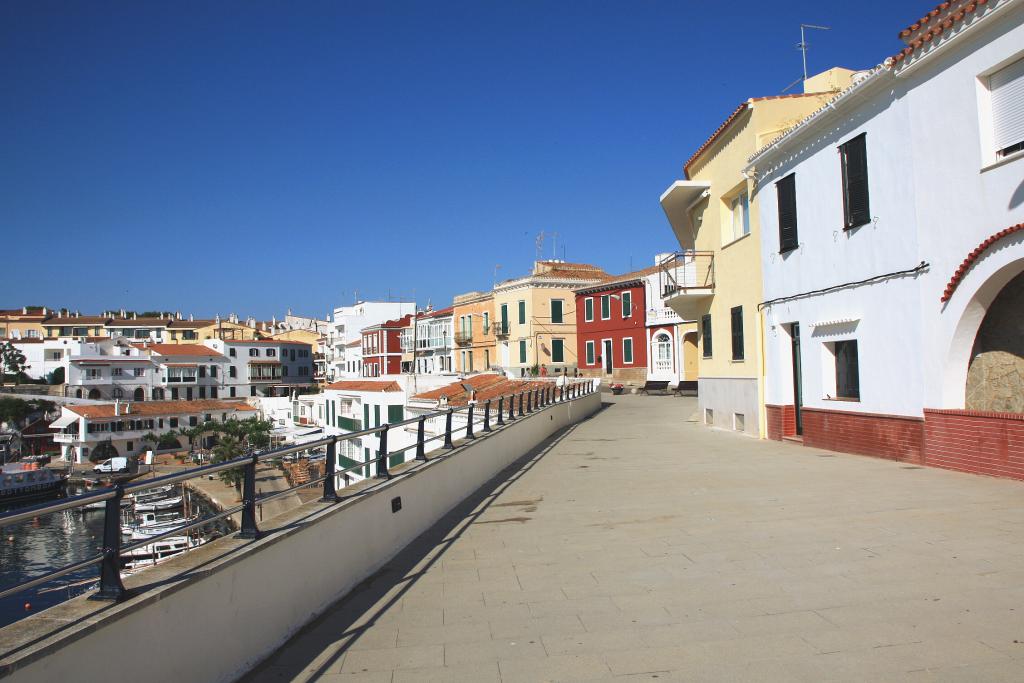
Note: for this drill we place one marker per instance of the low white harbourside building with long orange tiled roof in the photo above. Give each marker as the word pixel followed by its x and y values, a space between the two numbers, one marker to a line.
pixel 123 424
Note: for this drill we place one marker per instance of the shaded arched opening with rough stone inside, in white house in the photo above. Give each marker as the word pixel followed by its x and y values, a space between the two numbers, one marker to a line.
pixel 996 371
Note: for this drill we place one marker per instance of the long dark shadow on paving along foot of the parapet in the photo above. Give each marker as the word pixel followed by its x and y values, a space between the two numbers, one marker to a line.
pixel 337 623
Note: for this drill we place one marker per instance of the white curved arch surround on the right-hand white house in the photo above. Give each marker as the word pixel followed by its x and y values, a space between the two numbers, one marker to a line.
pixel 965 335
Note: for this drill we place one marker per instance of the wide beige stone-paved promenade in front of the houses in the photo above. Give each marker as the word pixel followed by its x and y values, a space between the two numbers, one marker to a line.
pixel 639 546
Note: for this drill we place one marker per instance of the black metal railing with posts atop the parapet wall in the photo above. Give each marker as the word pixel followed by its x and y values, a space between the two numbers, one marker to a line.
pixel 496 414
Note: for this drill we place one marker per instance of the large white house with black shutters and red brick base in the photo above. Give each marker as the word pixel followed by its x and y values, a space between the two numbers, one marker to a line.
pixel 893 248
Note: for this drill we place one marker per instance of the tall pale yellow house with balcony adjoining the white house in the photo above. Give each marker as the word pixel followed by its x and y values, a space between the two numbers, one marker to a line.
pixel 717 225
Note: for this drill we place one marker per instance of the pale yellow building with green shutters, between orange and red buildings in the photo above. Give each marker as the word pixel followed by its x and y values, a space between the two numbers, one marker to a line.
pixel 536 317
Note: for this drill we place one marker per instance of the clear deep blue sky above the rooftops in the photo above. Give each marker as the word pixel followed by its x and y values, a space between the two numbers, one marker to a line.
pixel 252 157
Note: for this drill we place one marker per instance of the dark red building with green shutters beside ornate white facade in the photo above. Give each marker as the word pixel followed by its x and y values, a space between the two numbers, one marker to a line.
pixel 612 337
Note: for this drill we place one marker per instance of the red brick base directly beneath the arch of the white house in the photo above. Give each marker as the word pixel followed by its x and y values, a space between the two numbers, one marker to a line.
pixel 975 442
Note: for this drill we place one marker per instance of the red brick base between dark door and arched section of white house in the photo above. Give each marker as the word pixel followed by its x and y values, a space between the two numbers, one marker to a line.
pixel 889 437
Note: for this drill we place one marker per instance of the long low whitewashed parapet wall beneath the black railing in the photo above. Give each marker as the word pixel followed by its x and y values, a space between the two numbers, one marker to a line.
pixel 238 602
